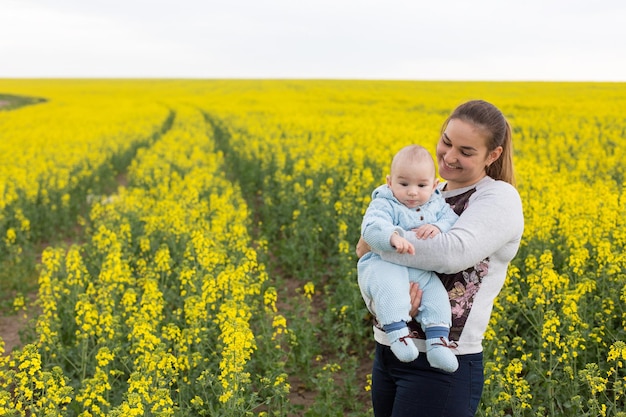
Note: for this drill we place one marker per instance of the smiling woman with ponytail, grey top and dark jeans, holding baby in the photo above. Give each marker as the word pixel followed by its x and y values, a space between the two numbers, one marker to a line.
pixel 474 155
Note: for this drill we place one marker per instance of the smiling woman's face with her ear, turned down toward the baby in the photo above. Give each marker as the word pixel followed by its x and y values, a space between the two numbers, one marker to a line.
pixel 462 154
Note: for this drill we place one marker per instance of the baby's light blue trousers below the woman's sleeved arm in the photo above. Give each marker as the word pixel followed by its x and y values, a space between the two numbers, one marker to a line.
pixel 385 289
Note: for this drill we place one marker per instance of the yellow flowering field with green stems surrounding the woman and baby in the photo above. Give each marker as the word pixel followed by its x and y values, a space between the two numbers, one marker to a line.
pixel 191 244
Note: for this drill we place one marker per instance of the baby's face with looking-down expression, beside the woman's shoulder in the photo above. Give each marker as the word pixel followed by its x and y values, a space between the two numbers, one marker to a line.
pixel 412 183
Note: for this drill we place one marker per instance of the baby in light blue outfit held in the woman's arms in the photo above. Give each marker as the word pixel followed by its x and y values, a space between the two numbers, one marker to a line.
pixel 410 200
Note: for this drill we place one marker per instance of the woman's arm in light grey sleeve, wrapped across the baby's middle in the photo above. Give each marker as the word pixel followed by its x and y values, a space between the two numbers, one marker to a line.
pixel 492 219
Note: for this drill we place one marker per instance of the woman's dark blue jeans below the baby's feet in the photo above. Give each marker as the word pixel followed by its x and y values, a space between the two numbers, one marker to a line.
pixel 416 389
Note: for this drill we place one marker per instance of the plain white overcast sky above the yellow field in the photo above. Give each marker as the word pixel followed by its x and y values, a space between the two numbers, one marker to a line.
pixel 365 39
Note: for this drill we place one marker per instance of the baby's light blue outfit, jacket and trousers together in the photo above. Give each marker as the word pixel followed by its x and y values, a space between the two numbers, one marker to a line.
pixel 384 285
